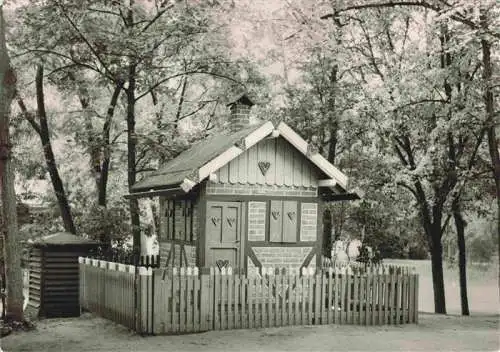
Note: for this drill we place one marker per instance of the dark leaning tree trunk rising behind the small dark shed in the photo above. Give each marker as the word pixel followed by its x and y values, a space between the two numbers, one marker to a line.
pixel 49 156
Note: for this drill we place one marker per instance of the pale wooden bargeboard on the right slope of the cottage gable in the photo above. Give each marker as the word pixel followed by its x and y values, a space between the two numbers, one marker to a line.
pixel 317 159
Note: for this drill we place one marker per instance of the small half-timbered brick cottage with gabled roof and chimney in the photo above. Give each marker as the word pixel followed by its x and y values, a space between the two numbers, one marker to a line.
pixel 246 198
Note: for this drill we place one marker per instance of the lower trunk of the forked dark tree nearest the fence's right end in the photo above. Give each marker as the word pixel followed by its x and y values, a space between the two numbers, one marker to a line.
pixel 437 271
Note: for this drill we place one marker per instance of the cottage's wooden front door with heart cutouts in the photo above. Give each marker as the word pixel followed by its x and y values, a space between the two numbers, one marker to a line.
pixel 223 231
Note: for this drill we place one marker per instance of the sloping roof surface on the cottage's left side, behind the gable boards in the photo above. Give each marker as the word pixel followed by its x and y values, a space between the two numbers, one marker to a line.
pixel 188 162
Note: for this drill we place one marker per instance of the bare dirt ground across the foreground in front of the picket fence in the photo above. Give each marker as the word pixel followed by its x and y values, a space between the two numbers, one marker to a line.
pixel 434 333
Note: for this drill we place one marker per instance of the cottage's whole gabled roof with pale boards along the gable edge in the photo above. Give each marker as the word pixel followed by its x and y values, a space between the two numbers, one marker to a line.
pixel 207 156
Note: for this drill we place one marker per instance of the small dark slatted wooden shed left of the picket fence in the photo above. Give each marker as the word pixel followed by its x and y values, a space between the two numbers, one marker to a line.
pixel 54 275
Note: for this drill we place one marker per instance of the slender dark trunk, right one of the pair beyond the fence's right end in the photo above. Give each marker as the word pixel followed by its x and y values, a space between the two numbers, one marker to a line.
pixel 462 264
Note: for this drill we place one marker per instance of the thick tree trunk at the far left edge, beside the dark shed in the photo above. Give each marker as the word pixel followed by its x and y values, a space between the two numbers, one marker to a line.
pixel 11 249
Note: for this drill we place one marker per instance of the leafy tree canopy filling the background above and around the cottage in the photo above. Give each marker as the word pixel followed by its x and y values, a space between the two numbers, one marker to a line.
pixel 394 95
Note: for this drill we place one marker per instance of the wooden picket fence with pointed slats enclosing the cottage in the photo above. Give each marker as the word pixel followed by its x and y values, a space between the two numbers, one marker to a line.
pixel 183 300
